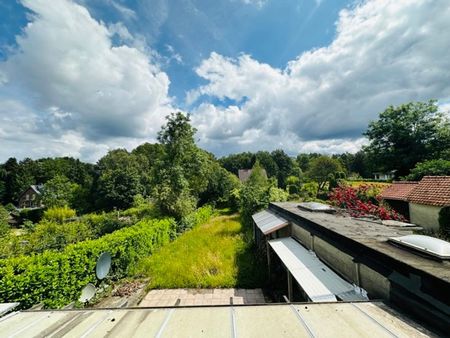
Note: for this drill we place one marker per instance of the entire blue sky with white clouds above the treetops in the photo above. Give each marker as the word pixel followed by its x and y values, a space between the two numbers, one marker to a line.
pixel 81 77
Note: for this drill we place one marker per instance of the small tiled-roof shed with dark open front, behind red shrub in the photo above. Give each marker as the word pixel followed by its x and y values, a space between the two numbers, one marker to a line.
pixel 396 196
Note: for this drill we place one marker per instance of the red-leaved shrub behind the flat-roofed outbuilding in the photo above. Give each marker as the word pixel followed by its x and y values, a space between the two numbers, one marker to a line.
pixel 361 202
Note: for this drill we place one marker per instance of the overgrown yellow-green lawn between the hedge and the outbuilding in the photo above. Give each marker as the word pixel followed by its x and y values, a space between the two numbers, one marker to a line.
pixel 216 254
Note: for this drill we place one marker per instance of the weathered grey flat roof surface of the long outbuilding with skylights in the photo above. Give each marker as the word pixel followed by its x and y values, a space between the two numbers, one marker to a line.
pixel 368 234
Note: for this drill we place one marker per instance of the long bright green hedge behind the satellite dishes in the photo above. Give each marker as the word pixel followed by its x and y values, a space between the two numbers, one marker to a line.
pixel 56 278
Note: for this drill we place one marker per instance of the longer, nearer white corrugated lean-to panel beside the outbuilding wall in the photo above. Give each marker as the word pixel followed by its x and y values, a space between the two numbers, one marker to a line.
pixel 320 283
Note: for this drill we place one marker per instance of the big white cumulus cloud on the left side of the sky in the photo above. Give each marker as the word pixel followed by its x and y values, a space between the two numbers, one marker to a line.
pixel 76 82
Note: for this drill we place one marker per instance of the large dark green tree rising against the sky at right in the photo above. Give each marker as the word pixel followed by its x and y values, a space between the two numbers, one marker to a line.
pixel 408 134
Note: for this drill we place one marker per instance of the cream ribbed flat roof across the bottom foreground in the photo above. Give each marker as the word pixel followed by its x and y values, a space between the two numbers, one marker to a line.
pixel 362 319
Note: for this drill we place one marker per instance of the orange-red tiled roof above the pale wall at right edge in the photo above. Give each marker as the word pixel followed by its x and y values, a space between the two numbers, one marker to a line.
pixel 432 190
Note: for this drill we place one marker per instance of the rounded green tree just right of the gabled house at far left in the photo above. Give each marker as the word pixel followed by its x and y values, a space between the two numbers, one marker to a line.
pixel 59 192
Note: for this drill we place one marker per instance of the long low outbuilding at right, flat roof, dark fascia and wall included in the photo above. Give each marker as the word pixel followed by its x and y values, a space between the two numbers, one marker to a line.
pixel 359 250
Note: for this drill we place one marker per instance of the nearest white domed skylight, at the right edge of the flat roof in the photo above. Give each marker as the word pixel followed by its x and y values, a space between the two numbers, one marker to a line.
pixel 429 245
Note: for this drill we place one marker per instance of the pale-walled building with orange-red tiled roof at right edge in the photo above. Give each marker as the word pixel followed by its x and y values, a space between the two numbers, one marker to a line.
pixel 427 199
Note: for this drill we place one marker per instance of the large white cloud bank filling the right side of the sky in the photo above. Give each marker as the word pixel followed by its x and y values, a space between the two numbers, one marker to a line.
pixel 384 52
